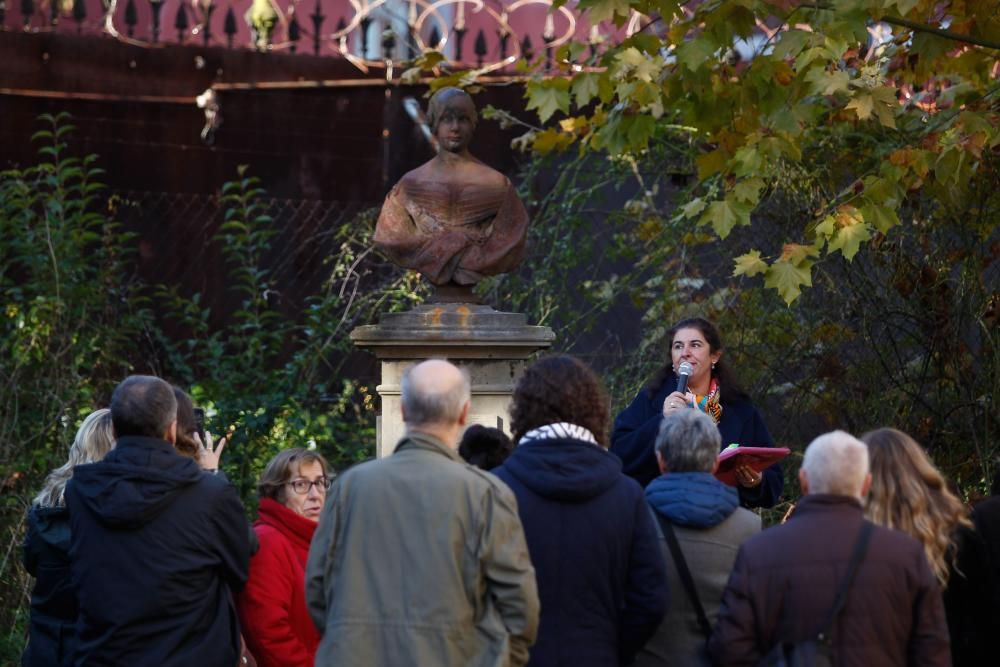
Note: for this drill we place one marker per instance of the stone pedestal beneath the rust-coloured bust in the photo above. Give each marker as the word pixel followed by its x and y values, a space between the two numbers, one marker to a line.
pixel 493 346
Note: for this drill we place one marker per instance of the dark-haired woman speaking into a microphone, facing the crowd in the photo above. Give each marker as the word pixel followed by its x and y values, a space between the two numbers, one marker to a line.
pixel 711 389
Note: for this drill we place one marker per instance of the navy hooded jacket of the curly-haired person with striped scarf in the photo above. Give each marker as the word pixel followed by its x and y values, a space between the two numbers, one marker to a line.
pixel 596 556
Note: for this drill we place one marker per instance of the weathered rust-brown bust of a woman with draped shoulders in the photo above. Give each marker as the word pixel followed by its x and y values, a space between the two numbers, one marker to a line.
pixel 453 219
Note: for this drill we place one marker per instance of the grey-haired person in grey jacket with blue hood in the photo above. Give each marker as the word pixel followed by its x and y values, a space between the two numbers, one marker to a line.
pixel 705 516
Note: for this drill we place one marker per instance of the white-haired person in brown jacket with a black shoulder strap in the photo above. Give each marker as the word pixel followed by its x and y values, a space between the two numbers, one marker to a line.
pixel 785 580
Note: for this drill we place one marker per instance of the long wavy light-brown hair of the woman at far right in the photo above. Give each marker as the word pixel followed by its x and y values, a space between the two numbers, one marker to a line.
pixel 909 494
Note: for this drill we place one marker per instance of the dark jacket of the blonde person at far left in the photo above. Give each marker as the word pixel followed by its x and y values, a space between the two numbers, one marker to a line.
pixel 51 628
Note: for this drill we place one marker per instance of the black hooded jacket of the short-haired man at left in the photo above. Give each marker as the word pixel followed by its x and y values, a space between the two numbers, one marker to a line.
pixel 156 548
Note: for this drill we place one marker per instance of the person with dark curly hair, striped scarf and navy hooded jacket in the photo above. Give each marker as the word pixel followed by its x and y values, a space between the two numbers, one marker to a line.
pixel 591 538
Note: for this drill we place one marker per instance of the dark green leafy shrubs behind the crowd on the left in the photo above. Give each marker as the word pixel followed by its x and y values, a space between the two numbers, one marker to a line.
pixel 74 323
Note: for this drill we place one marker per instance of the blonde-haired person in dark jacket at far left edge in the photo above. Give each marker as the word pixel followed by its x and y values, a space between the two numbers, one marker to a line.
pixel 52 624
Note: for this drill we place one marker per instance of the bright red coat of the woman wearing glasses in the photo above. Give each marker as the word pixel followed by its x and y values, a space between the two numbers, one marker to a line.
pixel 272 607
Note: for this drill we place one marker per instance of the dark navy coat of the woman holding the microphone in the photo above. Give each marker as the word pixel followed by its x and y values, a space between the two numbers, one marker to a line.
pixel 634 437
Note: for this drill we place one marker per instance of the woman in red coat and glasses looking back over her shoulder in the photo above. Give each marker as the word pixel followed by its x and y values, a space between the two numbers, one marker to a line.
pixel 272 607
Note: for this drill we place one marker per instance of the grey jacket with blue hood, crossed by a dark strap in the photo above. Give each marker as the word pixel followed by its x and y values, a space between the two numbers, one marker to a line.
pixel 710 527
